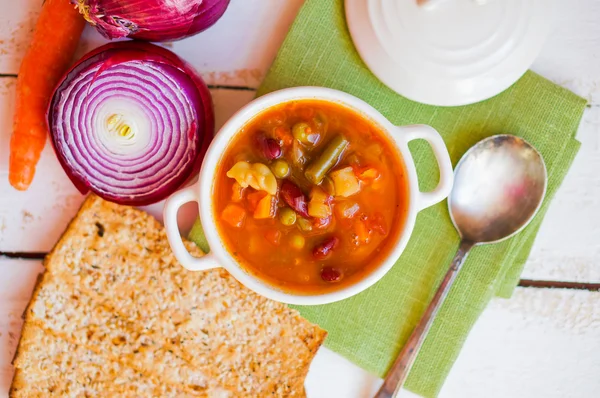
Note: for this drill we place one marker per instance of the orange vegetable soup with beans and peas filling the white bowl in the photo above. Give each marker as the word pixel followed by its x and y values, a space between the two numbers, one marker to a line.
pixel 314 254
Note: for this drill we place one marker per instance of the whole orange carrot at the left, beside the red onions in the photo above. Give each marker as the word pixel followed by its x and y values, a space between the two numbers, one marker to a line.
pixel 50 53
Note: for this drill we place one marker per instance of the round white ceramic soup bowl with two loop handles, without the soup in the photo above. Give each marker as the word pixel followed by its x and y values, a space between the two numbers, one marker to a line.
pixel 202 193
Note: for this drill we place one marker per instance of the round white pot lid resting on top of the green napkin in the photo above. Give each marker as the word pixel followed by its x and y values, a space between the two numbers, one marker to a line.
pixel 449 52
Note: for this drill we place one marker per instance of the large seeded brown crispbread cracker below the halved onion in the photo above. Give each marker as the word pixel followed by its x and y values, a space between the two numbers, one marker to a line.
pixel 114 292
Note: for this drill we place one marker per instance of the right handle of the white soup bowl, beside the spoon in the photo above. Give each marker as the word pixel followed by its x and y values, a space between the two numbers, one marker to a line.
pixel 405 134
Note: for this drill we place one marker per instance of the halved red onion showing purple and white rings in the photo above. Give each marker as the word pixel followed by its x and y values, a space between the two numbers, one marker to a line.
pixel 131 122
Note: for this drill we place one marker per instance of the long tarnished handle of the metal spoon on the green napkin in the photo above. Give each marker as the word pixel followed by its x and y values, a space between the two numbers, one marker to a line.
pixel 398 373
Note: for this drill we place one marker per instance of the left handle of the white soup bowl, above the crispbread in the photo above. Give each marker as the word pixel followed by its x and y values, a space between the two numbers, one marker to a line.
pixel 172 205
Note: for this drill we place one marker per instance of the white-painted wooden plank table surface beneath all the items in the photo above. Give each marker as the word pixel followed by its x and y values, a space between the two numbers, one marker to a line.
pixel 541 343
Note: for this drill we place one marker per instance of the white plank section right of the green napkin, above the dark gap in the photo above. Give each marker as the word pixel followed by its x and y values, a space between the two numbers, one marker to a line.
pixel 568 245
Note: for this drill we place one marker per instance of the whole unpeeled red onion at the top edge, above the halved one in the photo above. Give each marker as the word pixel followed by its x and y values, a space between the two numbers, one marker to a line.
pixel 151 20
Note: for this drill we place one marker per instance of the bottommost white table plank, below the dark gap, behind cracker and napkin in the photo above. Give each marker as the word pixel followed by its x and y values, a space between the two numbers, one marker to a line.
pixel 542 342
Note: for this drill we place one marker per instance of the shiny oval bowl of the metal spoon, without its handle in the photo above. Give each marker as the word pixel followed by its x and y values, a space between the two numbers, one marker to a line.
pixel 499 186
